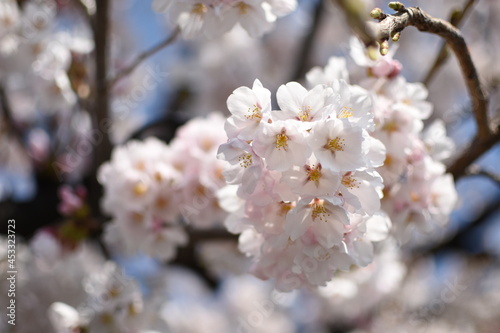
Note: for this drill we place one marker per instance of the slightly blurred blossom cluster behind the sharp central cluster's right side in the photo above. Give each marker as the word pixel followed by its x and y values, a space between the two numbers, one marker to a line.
pixel 418 194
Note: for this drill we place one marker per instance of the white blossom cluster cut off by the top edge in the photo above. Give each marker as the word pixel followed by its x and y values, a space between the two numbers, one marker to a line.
pixel 216 17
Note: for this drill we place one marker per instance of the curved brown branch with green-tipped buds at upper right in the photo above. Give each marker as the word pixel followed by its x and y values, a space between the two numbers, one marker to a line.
pixel 390 26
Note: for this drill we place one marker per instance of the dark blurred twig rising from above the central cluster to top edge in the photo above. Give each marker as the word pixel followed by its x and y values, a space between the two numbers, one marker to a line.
pixel 308 43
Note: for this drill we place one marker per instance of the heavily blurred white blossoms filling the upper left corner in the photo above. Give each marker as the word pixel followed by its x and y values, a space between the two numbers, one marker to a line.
pixel 36 57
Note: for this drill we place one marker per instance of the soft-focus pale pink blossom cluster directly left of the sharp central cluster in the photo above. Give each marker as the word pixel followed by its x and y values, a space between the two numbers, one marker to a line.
pixel 151 189
